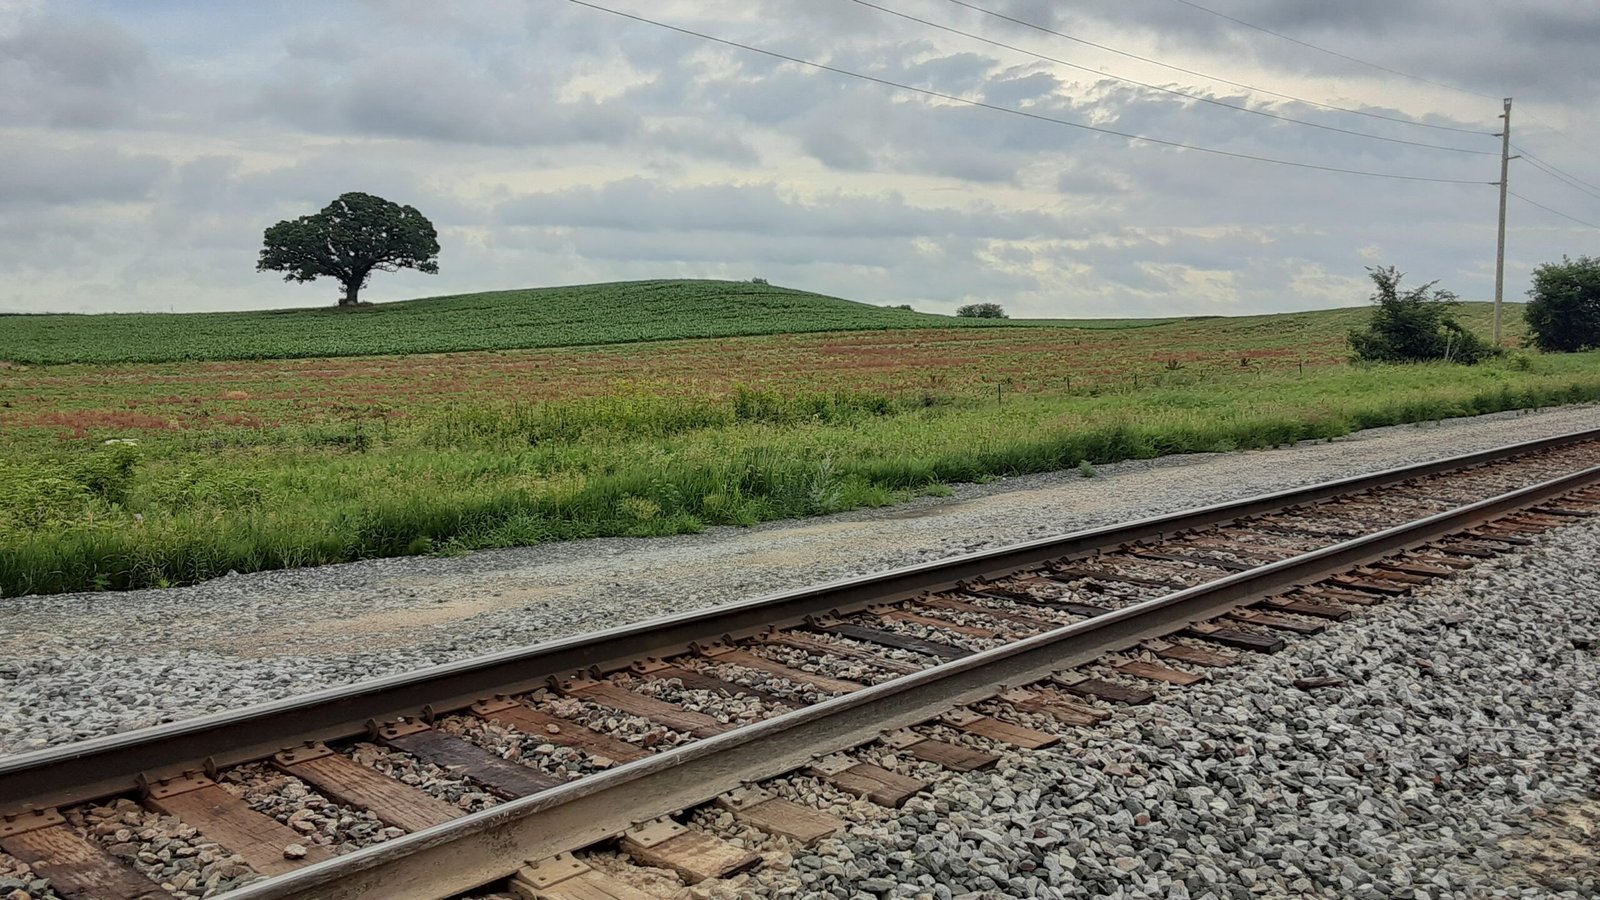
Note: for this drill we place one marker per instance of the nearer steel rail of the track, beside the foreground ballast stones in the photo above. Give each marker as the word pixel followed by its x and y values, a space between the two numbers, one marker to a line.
pixel 481 848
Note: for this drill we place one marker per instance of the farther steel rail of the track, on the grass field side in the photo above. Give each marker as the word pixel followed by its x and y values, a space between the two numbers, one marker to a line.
pixel 116 765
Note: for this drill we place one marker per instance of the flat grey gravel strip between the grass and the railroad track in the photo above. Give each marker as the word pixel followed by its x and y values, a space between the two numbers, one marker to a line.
pixel 86 665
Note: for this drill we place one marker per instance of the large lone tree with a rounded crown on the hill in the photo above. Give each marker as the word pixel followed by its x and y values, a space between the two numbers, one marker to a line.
pixel 351 239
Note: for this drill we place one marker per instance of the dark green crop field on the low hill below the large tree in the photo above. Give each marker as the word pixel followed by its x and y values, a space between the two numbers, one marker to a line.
pixel 519 319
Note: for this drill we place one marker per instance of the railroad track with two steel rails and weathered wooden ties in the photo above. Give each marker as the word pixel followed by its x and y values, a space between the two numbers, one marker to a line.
pixel 502 768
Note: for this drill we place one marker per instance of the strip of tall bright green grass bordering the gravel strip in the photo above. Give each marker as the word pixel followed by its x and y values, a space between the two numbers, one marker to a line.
pixel 505 475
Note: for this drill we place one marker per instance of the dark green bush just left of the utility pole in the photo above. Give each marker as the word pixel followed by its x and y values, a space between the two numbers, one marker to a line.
pixel 1415 326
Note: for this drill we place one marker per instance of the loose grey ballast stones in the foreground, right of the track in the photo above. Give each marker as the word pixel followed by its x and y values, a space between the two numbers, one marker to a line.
pixel 1460 761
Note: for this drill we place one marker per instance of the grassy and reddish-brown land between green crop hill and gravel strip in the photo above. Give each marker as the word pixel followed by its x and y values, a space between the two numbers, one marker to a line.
pixel 262 465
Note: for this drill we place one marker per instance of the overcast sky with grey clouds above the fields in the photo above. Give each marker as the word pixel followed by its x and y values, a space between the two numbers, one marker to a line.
pixel 146 145
